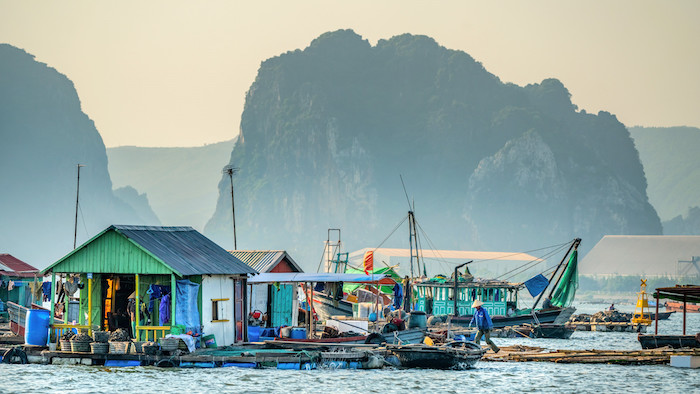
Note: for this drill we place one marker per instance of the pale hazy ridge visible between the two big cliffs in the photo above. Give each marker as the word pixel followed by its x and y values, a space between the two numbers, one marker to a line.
pixel 180 182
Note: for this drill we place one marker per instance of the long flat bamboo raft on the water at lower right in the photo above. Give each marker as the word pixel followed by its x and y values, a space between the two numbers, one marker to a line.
pixel 593 356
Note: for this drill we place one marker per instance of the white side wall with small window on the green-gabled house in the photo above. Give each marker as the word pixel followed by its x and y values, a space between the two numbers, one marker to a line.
pixel 218 287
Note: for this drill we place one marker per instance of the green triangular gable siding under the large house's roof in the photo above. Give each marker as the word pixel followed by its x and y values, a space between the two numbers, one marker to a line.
pixel 111 253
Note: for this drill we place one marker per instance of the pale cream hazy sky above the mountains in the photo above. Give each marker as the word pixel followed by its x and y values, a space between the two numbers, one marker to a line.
pixel 175 73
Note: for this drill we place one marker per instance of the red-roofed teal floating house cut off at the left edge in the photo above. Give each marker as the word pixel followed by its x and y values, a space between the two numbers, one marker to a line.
pixel 15 279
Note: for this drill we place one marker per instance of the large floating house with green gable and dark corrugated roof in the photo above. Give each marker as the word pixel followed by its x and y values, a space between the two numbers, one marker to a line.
pixel 145 263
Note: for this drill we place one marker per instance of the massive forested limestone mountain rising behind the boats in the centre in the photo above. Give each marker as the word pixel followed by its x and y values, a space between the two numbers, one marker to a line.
pixel 327 131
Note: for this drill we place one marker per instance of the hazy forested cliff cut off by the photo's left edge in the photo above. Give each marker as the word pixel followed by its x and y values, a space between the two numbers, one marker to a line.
pixel 43 136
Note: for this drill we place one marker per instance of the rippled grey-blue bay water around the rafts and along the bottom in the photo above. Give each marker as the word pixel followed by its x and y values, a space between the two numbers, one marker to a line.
pixel 486 377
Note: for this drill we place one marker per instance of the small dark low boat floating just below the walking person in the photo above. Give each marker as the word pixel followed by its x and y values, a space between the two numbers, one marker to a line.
pixel 457 355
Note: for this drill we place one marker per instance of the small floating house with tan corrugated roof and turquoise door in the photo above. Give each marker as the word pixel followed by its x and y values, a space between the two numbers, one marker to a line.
pixel 278 301
